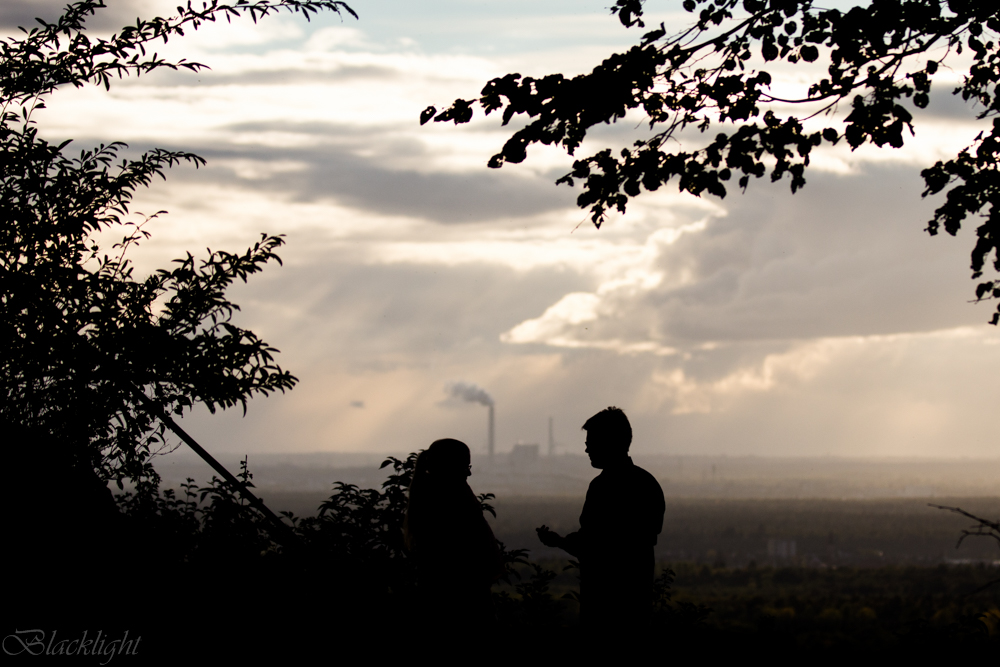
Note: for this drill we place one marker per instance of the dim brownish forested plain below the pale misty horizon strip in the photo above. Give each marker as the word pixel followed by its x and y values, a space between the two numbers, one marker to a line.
pixel 737 533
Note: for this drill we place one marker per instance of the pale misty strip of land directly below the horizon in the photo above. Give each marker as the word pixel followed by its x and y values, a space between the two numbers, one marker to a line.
pixel 526 472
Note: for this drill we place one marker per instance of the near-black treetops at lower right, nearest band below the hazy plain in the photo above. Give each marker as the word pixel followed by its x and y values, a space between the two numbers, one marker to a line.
pixel 842 605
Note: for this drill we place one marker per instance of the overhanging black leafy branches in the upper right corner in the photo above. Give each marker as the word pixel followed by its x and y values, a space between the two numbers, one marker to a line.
pixel 880 59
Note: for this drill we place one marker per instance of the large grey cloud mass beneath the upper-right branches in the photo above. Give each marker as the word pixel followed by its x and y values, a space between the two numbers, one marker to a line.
pixel 846 256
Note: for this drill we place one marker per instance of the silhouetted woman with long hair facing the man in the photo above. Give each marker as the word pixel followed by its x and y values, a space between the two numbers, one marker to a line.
pixel 456 555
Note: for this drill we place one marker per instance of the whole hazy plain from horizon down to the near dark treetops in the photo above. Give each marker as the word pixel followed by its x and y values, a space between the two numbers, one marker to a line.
pixel 722 511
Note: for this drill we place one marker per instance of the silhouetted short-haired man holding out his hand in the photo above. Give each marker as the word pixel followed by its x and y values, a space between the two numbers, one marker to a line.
pixel 621 517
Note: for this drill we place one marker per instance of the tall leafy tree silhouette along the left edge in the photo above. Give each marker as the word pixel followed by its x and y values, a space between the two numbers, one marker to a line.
pixel 80 334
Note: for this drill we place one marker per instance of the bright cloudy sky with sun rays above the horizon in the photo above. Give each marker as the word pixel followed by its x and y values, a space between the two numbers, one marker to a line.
pixel 824 323
